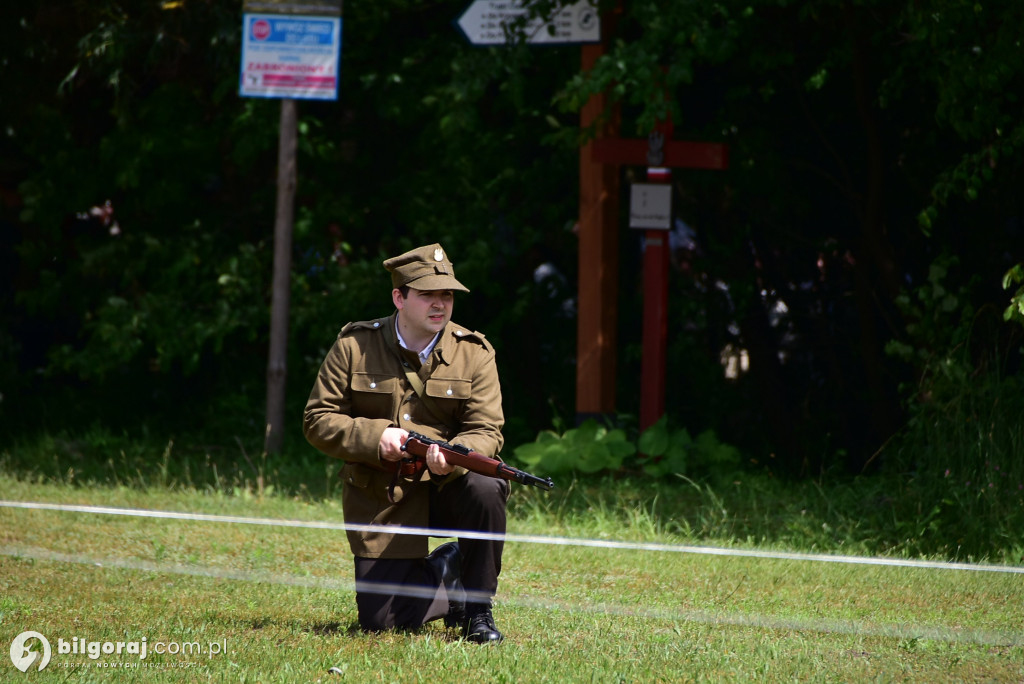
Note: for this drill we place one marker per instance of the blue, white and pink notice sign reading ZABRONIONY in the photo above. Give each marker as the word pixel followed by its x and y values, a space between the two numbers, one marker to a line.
pixel 287 56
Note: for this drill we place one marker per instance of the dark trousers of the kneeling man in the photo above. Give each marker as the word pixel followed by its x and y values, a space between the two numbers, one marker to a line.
pixel 407 593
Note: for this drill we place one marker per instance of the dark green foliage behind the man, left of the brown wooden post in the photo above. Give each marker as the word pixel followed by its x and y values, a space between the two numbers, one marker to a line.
pixel 148 191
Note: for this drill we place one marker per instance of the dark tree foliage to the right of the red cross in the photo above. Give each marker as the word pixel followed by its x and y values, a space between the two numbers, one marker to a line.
pixel 847 122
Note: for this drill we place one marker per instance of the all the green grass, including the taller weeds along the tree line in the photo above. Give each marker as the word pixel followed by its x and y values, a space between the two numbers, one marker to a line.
pixel 281 602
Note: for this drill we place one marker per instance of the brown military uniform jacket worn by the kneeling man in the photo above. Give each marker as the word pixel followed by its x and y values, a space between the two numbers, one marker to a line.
pixel 362 390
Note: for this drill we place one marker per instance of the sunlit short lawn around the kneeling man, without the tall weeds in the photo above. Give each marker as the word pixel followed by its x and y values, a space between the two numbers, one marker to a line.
pixel 275 605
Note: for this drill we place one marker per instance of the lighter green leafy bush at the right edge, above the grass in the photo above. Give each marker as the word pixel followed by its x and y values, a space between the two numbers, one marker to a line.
pixel 964 438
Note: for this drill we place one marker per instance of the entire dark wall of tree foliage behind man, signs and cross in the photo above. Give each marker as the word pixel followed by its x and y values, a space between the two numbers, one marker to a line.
pixel 871 144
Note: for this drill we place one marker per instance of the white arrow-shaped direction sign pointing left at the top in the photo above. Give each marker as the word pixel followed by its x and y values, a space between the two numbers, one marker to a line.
pixel 493 23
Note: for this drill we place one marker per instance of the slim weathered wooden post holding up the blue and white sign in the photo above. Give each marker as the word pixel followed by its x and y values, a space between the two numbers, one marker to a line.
pixel 277 368
